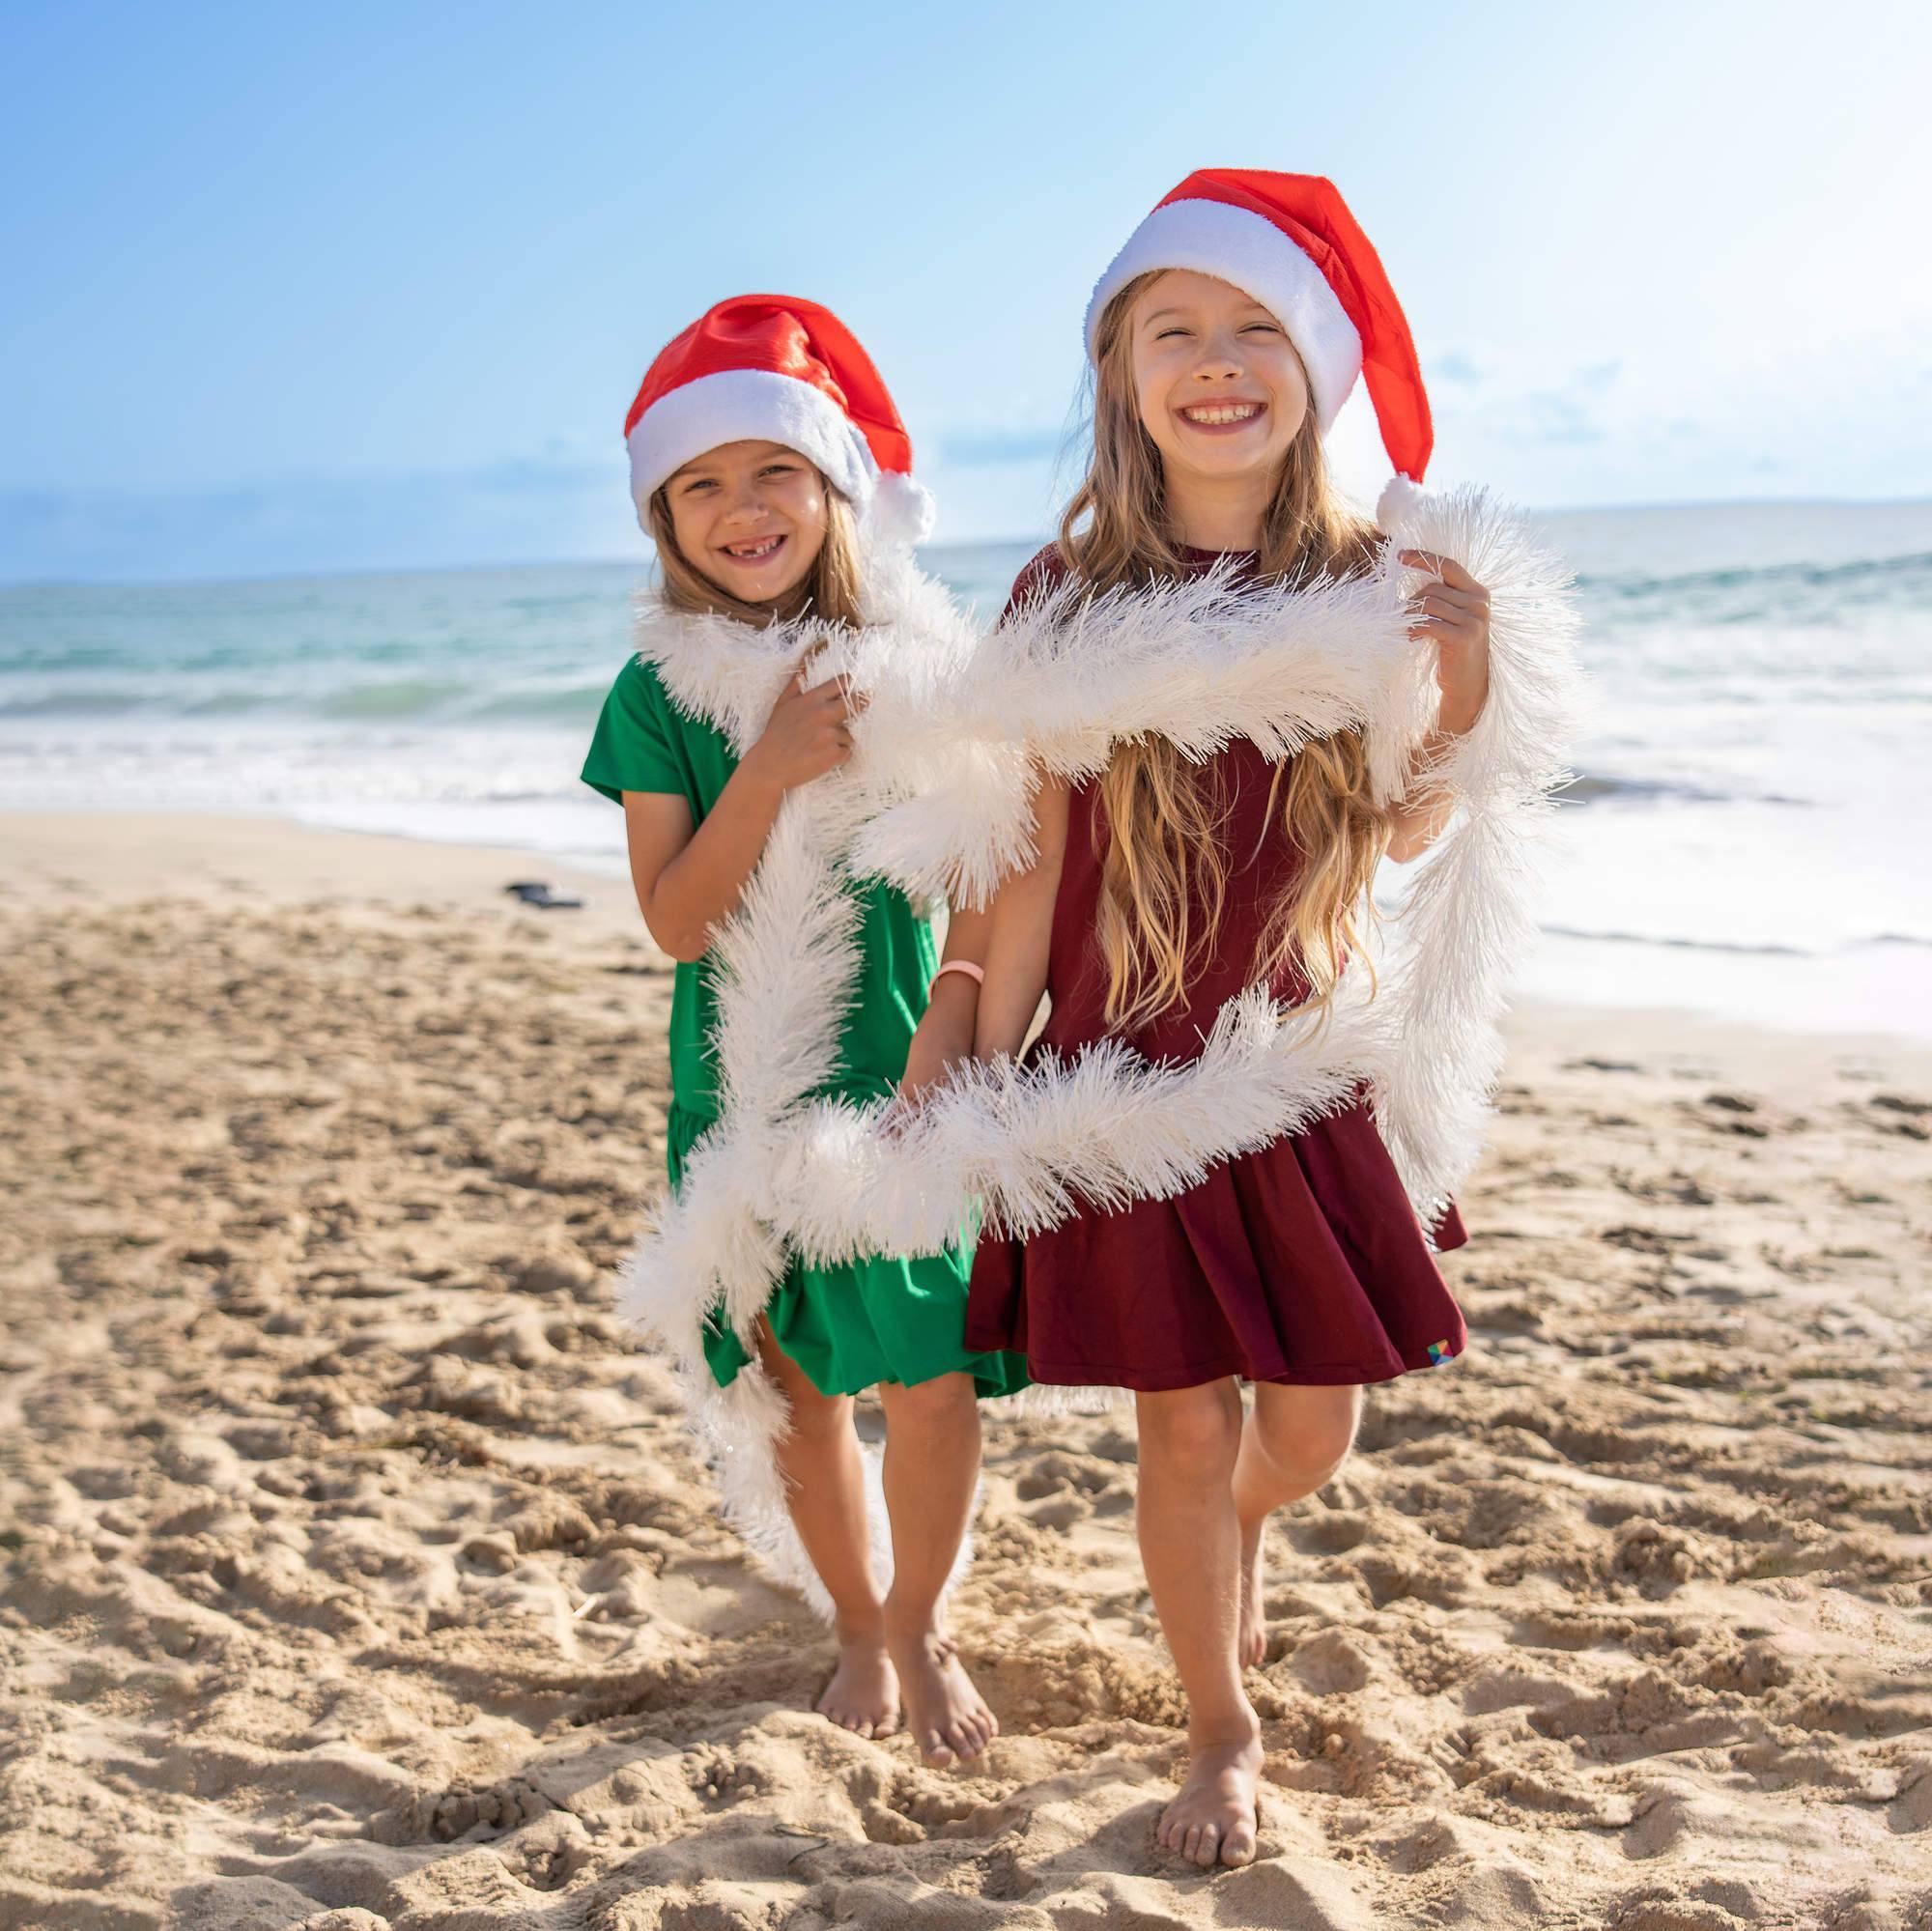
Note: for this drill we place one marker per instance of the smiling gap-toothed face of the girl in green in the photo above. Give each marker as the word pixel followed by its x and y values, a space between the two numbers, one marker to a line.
pixel 751 517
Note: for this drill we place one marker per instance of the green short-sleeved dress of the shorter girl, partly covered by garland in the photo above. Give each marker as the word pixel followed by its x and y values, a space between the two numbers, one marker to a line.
pixel 876 1320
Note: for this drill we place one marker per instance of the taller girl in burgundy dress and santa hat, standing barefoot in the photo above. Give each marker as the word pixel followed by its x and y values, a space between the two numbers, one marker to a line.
pixel 1224 339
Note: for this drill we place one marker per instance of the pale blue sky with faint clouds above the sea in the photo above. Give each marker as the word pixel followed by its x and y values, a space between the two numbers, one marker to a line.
pixel 372 287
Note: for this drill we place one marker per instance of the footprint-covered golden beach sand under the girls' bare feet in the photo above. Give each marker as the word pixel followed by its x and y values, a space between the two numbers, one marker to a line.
pixel 358 1569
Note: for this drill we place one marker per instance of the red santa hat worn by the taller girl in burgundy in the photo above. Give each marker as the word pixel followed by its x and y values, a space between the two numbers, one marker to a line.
pixel 1292 242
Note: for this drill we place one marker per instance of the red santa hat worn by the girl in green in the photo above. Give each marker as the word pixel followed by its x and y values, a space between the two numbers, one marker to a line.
pixel 778 370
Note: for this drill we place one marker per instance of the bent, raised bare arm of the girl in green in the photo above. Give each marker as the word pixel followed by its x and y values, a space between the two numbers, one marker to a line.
pixel 689 882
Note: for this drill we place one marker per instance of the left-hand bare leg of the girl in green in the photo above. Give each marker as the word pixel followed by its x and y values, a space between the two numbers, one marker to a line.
pixel 826 1494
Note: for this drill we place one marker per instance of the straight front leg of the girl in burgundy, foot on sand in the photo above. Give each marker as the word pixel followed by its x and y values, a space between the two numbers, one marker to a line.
pixel 1191 1546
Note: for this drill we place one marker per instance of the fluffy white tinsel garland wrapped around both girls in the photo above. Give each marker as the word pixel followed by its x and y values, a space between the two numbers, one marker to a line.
pixel 936 798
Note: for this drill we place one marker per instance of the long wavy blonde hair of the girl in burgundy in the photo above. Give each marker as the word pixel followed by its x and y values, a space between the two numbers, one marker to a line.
pixel 1166 851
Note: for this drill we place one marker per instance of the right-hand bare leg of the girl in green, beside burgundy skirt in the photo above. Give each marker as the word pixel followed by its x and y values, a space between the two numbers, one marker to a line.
pixel 932 1465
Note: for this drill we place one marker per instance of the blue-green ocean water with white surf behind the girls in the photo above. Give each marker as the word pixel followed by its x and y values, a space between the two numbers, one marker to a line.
pixel 1747 833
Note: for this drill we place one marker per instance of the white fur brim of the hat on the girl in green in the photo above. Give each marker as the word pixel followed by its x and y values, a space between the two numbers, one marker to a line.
pixel 749 406
